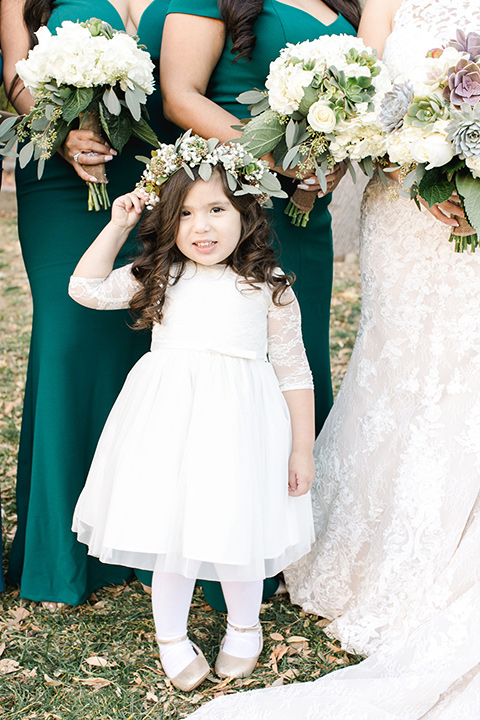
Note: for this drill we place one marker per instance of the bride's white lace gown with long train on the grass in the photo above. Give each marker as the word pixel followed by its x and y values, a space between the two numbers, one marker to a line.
pixel 396 563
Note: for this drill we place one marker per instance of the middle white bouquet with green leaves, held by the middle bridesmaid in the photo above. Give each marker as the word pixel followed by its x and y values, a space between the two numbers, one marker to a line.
pixel 320 108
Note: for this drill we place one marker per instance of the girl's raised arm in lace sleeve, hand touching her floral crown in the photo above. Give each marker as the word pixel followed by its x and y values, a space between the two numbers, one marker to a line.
pixel 94 284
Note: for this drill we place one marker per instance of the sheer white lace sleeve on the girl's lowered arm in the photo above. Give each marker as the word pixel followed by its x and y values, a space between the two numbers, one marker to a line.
pixel 285 344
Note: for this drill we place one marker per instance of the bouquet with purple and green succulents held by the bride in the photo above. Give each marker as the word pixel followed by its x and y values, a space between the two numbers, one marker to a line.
pixel 433 131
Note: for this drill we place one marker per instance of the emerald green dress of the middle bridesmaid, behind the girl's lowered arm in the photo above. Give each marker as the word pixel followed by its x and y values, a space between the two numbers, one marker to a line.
pixel 307 252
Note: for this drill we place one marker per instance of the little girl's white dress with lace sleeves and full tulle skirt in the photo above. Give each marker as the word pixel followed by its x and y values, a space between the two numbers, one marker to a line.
pixel 191 471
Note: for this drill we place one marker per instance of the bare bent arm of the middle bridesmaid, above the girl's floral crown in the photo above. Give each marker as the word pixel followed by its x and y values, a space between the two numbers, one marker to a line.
pixel 191 48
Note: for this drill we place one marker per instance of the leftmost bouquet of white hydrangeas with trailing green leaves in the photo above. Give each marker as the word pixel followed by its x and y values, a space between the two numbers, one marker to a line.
pixel 87 71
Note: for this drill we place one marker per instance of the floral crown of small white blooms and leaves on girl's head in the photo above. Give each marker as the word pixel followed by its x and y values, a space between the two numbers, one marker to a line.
pixel 245 174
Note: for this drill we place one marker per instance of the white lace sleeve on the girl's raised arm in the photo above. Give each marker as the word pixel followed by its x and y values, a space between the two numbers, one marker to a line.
pixel 111 293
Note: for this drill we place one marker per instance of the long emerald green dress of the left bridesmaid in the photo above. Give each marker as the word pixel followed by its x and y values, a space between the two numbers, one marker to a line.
pixel 79 358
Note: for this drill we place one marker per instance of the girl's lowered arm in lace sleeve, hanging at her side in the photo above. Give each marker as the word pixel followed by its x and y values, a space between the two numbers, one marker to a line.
pixel 287 355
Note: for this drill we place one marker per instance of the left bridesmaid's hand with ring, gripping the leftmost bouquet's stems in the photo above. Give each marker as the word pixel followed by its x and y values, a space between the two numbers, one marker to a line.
pixel 83 148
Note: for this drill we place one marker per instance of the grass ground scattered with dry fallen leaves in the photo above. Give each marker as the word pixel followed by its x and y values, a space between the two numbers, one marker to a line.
pixel 98 661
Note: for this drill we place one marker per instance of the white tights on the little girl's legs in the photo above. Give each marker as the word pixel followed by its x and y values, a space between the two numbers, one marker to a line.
pixel 171 599
